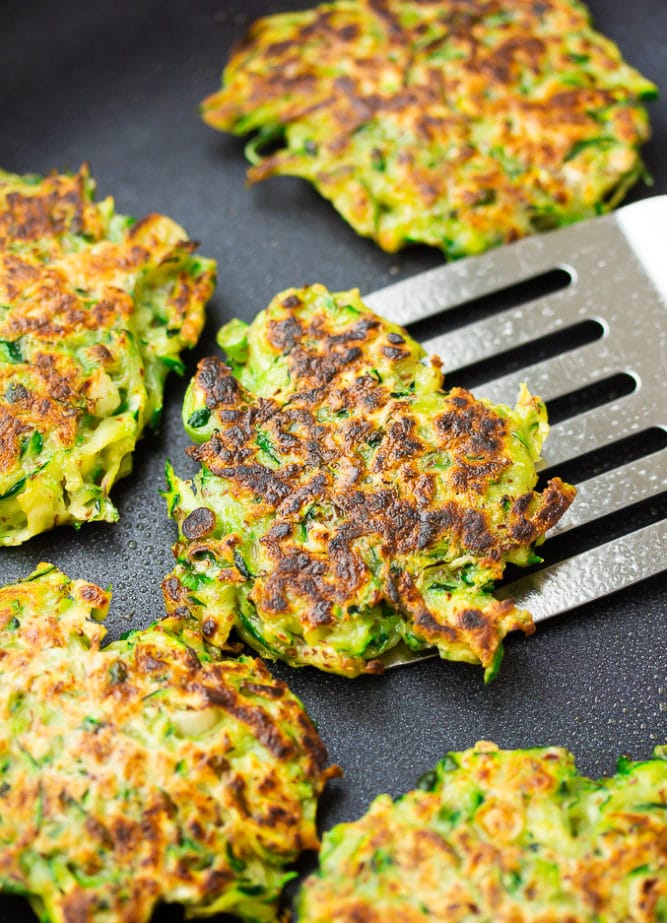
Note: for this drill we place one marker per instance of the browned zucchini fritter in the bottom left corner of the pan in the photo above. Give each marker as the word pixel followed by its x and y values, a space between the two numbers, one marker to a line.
pixel 145 771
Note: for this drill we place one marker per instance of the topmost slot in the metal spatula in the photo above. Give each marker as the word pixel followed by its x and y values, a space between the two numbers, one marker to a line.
pixel 469 311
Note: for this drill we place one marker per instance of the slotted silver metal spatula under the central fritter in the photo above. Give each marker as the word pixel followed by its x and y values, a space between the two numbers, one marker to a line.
pixel 604 331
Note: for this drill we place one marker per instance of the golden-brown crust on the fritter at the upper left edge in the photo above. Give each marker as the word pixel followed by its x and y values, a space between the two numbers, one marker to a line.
pixel 40 281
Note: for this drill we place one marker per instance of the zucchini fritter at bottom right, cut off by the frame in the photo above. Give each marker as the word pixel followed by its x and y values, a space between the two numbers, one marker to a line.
pixel 502 836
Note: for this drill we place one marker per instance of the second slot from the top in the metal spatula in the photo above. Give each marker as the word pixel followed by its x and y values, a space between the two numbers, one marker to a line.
pixel 538 350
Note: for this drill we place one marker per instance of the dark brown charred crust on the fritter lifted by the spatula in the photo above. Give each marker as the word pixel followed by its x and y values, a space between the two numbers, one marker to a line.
pixel 387 502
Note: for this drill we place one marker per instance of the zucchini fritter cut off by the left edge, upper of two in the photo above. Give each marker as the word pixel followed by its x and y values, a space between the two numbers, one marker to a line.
pixel 94 312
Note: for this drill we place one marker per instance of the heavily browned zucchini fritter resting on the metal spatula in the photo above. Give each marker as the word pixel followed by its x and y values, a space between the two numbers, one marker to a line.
pixel 345 501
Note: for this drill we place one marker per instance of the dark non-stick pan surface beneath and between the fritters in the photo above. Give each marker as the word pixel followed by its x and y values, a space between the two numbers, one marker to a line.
pixel 118 84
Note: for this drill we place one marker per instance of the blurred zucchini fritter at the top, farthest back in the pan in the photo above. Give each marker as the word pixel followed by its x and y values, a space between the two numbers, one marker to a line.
pixel 461 124
